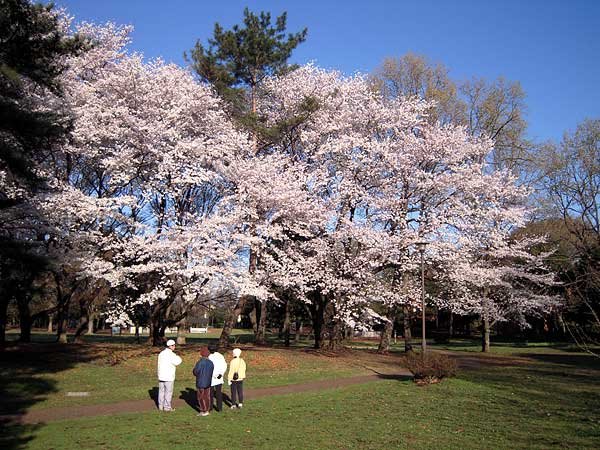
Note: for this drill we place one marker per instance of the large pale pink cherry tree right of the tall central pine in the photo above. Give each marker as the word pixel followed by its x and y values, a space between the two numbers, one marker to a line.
pixel 387 178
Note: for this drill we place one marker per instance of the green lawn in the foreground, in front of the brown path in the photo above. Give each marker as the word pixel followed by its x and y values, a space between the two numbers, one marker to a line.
pixel 515 407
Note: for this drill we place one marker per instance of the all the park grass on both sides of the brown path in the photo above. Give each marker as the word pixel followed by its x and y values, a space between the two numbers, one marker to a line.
pixel 535 396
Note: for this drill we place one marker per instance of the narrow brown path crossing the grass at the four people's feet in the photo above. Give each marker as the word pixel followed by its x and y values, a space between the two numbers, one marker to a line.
pixel 133 406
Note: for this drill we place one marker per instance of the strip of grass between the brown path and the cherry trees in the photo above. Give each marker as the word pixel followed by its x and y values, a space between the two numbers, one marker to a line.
pixel 116 372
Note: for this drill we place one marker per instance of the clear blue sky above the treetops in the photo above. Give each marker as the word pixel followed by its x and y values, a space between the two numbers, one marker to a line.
pixel 551 46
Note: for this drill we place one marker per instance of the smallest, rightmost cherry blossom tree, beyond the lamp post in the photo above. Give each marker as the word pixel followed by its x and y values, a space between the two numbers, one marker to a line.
pixel 490 271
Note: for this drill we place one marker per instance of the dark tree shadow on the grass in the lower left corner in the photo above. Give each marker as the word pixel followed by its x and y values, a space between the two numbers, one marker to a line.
pixel 26 371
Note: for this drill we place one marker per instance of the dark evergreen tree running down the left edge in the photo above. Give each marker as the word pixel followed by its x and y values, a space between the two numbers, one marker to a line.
pixel 32 54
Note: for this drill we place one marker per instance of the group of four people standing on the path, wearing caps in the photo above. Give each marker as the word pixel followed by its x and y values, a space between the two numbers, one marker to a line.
pixel 209 372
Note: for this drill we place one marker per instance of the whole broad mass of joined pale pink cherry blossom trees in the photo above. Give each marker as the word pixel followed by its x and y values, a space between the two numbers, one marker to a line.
pixel 159 195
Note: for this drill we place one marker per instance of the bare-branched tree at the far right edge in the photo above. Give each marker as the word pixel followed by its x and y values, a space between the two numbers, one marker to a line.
pixel 569 176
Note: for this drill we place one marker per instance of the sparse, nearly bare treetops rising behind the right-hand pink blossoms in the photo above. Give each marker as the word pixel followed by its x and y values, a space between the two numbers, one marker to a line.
pixel 494 108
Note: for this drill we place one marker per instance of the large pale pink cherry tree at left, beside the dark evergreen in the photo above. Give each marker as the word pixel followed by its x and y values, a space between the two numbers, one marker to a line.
pixel 145 194
